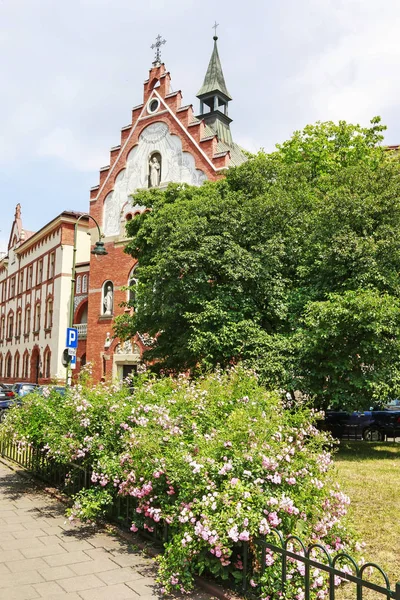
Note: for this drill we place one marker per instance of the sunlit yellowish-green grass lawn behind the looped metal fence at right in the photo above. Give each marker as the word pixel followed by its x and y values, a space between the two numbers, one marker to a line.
pixel 370 474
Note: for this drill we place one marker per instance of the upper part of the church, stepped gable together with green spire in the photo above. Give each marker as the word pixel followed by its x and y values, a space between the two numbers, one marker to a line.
pixel 183 147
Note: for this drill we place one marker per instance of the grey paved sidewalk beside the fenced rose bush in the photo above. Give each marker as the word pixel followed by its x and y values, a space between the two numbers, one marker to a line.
pixel 42 556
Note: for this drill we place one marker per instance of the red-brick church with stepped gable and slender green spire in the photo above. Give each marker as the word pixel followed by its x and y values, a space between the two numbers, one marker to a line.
pixel 164 142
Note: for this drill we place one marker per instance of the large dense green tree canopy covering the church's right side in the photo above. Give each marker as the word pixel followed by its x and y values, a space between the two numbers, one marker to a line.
pixel 290 264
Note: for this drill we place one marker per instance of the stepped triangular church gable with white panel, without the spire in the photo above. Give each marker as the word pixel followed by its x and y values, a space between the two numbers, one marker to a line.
pixel 190 151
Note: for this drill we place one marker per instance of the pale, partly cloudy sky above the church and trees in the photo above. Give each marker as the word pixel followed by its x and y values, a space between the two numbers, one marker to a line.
pixel 71 72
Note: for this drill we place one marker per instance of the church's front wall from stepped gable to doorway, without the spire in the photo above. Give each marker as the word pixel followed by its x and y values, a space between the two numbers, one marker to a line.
pixel 160 126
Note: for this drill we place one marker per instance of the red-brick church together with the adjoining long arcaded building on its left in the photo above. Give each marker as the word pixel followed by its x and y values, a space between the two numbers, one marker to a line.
pixel 164 142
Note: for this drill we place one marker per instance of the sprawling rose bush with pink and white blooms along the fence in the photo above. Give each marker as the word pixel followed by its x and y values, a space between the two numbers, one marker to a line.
pixel 219 459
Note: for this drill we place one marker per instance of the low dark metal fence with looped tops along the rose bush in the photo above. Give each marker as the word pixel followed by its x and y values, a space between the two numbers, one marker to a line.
pixel 72 477
